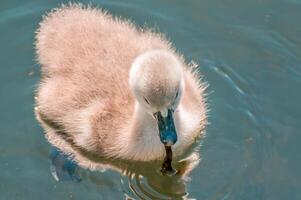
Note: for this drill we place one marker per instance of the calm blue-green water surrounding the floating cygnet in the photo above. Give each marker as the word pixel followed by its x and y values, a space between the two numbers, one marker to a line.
pixel 250 54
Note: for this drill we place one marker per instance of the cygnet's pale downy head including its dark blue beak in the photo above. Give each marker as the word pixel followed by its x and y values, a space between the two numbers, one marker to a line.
pixel 156 79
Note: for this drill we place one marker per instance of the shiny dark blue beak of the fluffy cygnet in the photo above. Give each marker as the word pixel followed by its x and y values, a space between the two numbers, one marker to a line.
pixel 167 130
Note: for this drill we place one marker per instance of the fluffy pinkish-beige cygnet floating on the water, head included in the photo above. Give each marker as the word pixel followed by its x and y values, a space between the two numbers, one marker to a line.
pixel 104 81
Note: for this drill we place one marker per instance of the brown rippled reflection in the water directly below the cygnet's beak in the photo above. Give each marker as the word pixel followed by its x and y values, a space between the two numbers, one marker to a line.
pixel 146 181
